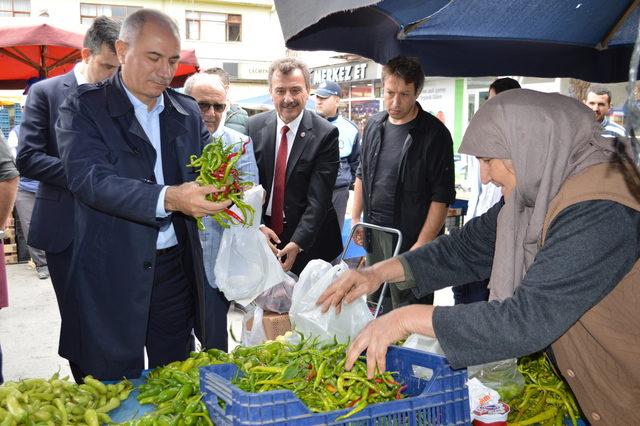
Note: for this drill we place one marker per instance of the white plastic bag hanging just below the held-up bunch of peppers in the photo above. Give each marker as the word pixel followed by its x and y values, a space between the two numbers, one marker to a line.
pixel 246 266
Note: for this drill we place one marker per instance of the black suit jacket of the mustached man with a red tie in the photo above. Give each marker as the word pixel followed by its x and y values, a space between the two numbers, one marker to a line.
pixel 312 169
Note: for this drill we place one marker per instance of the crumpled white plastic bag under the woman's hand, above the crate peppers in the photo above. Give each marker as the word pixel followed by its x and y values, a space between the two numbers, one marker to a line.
pixel 307 318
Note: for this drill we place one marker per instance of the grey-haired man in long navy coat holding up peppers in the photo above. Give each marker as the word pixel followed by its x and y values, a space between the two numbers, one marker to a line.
pixel 137 275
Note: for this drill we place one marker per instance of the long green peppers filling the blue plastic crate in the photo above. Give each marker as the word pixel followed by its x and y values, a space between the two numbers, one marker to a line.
pixel 314 373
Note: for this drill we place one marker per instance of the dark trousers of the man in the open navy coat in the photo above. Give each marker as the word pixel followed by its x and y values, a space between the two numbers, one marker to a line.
pixel 171 313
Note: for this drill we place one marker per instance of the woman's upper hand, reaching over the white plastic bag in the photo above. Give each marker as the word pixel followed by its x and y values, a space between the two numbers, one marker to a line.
pixel 348 287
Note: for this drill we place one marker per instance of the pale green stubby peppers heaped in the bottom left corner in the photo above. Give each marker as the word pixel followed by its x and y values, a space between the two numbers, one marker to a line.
pixel 58 401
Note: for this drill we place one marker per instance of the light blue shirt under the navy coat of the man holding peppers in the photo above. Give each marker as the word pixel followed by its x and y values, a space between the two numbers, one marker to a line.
pixel 150 122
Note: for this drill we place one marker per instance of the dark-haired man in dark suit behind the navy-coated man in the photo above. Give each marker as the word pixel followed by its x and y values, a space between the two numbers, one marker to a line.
pixel 38 158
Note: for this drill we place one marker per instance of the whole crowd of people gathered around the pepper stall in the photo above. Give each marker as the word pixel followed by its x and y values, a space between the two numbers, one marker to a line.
pixel 547 260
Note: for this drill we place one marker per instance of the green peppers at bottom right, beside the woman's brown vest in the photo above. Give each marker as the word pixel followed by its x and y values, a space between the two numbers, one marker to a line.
pixel 546 399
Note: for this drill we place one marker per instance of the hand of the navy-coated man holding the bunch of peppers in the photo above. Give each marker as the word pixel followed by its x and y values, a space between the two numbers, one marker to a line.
pixel 189 198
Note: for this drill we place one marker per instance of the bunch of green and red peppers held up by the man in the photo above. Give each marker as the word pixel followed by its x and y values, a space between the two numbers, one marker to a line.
pixel 217 166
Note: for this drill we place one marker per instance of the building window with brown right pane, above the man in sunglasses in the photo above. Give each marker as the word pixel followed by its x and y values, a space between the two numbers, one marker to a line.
pixel 209 26
